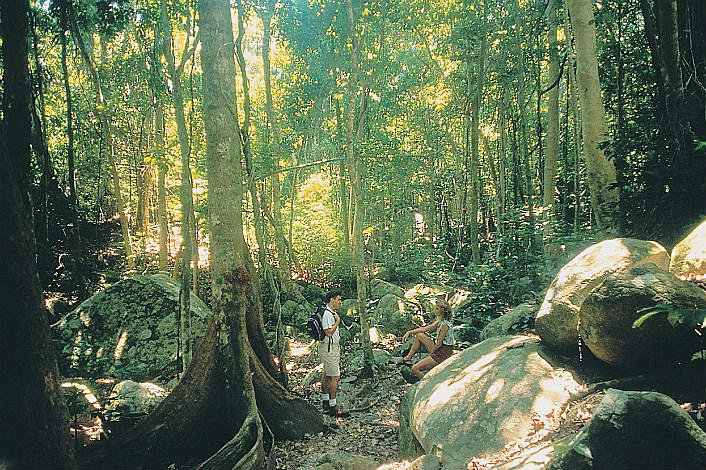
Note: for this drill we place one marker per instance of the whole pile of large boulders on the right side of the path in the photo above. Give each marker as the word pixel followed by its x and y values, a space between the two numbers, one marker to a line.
pixel 507 392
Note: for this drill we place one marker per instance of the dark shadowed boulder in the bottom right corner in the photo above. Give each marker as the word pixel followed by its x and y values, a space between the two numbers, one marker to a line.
pixel 636 430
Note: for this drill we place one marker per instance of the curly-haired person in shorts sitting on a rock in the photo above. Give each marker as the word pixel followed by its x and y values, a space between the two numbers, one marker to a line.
pixel 440 349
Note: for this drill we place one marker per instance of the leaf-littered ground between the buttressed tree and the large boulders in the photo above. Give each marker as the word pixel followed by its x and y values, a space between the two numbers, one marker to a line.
pixel 371 432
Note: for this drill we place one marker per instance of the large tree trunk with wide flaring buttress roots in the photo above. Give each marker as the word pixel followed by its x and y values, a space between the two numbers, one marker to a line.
pixel 212 412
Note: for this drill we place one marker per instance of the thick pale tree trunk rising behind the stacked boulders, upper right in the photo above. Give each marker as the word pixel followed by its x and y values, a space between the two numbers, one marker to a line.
pixel 601 172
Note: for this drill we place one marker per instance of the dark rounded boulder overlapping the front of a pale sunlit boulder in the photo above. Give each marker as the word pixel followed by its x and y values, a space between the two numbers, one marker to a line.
pixel 609 311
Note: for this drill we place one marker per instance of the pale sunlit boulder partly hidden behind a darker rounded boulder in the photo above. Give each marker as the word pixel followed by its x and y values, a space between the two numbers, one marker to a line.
pixel 557 319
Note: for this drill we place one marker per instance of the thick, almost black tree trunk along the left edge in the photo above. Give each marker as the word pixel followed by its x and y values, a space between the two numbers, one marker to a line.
pixel 33 412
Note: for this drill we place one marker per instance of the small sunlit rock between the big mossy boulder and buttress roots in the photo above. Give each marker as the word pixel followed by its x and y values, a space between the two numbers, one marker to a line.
pixel 129 399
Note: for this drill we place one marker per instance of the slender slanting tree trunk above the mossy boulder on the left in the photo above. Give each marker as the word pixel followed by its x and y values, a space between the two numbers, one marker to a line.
pixel 107 136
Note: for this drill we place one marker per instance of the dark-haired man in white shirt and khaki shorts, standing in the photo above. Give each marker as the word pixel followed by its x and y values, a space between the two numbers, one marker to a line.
pixel 330 354
